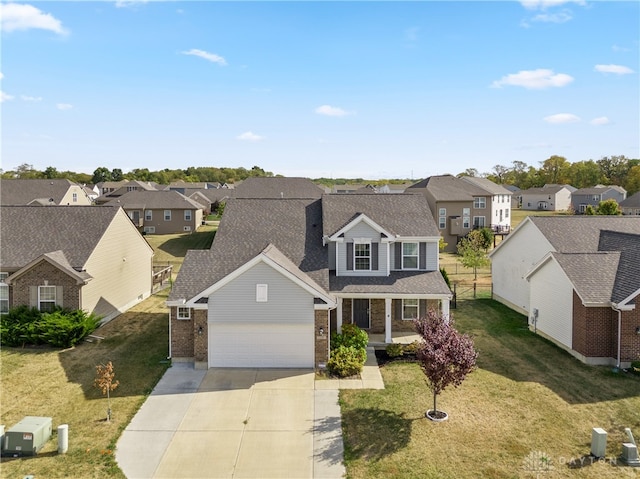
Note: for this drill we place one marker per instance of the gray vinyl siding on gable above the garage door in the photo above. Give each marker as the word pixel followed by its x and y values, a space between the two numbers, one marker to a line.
pixel 287 301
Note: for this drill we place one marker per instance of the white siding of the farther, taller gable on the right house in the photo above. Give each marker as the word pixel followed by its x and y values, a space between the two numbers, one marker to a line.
pixel 515 257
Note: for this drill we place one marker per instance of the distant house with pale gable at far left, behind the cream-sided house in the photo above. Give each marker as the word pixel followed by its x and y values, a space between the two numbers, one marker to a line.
pixel 42 192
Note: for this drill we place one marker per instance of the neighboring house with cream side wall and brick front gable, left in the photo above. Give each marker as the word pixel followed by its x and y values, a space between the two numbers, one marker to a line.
pixel 89 258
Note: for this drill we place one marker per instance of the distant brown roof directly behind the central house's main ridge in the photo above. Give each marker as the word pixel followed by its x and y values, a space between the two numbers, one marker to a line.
pixel 278 187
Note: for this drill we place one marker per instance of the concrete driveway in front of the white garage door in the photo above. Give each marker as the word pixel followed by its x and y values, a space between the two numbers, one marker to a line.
pixel 234 423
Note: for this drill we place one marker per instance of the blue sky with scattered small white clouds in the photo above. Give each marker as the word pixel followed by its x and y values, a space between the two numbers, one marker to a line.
pixel 374 90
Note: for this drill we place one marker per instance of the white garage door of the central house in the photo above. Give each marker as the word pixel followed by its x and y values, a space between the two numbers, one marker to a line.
pixel 237 344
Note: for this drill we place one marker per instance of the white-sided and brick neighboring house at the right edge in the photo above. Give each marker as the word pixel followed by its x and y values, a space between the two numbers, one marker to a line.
pixel 571 275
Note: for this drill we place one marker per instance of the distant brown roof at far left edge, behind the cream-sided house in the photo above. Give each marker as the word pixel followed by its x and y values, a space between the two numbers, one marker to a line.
pixel 23 192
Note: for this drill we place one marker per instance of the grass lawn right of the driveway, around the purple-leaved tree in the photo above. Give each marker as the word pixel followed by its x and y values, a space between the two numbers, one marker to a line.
pixel 528 399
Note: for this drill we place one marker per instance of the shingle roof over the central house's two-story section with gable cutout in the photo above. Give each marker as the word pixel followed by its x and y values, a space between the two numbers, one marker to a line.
pixel 400 214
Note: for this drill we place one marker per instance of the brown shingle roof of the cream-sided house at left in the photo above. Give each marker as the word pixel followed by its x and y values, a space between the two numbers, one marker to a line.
pixel 27 232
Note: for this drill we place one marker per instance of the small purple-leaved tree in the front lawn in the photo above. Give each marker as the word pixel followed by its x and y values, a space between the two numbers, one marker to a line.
pixel 445 355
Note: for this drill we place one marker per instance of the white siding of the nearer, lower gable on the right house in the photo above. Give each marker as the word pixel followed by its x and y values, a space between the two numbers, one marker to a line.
pixel 552 296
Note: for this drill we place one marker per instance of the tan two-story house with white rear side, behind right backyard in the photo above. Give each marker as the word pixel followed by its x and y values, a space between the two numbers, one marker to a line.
pixel 460 206
